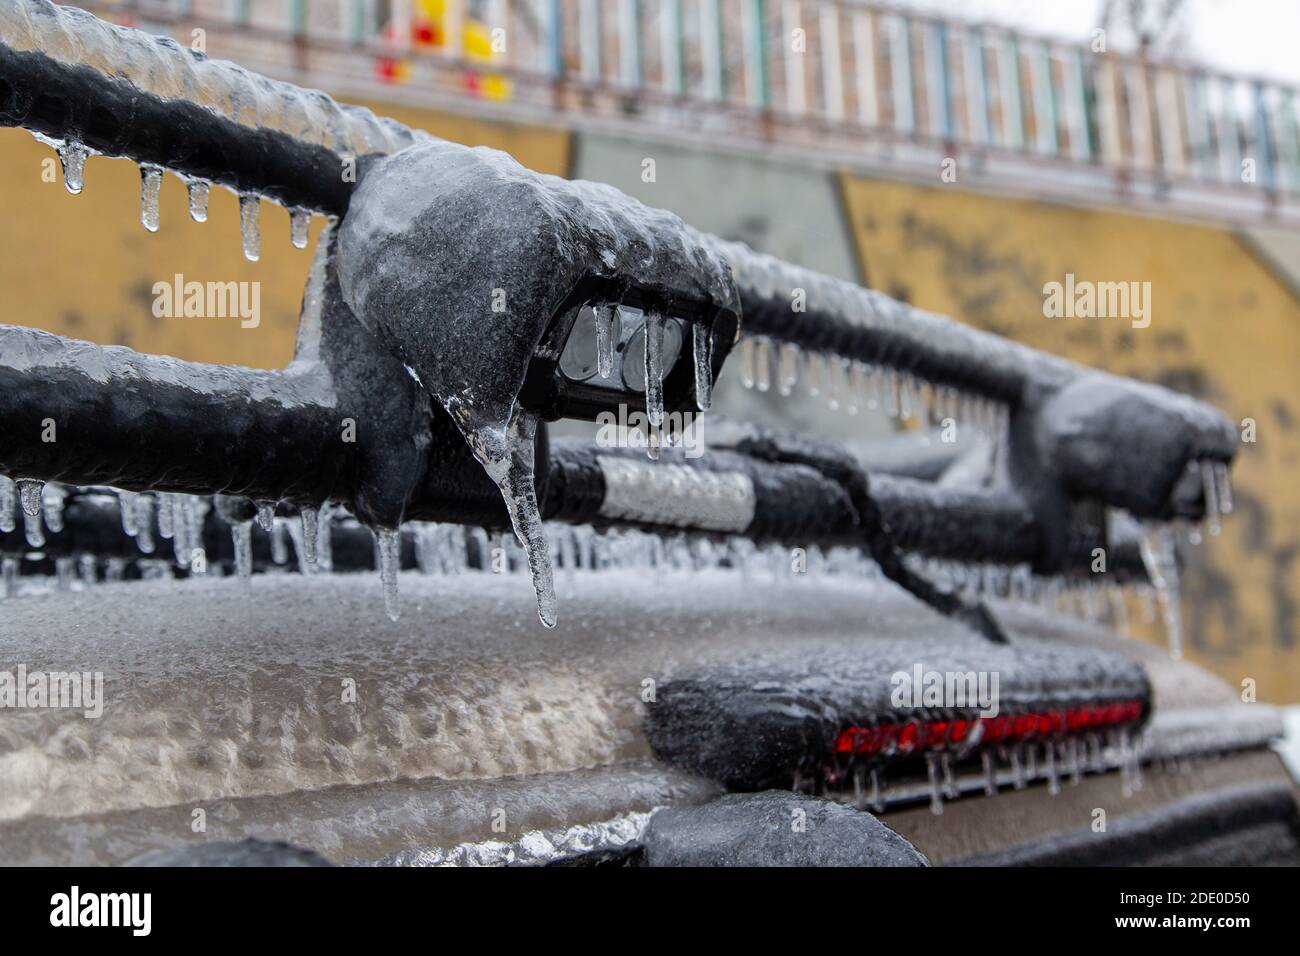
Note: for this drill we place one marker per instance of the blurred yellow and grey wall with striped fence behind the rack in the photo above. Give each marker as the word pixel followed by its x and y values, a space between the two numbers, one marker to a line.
pixel 956 167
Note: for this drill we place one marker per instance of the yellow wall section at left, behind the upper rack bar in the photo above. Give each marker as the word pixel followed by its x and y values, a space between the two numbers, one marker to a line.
pixel 85 267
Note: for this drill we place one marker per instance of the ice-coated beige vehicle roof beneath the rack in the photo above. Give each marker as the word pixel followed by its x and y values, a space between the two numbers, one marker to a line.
pixel 463 690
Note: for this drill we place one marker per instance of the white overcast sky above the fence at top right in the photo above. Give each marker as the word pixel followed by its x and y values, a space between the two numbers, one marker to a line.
pixel 1253 37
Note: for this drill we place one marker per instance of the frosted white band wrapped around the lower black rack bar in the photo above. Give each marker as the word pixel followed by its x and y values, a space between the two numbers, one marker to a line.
pixel 677 496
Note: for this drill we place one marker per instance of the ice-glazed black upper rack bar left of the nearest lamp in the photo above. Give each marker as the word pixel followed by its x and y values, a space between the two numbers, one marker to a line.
pixel 72 77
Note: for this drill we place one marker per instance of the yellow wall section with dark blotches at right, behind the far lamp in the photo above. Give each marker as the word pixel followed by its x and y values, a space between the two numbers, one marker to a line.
pixel 1224 328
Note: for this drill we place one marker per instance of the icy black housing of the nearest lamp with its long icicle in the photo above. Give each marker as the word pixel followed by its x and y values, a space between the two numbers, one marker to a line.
pixel 439 237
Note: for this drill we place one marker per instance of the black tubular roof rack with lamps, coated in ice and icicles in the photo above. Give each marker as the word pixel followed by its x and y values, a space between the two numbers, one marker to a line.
pixel 448 393
